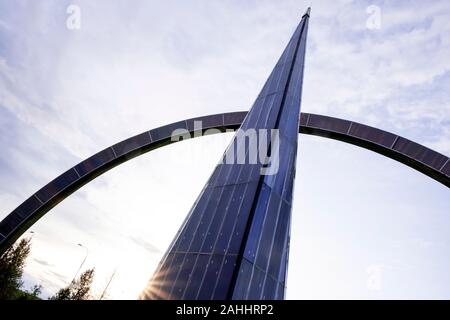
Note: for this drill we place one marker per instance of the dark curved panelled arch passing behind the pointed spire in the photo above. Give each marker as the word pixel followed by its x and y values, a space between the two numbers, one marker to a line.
pixel 418 157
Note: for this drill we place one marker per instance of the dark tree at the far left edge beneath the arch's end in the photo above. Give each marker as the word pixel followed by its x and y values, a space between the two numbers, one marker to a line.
pixel 12 263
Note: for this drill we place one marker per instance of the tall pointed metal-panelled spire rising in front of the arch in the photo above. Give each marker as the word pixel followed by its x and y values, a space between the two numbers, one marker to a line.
pixel 234 243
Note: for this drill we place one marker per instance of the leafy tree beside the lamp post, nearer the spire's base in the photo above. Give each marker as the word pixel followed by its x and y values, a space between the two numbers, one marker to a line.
pixel 78 289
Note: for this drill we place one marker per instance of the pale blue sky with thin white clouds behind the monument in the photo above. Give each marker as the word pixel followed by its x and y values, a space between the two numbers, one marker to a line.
pixel 364 226
